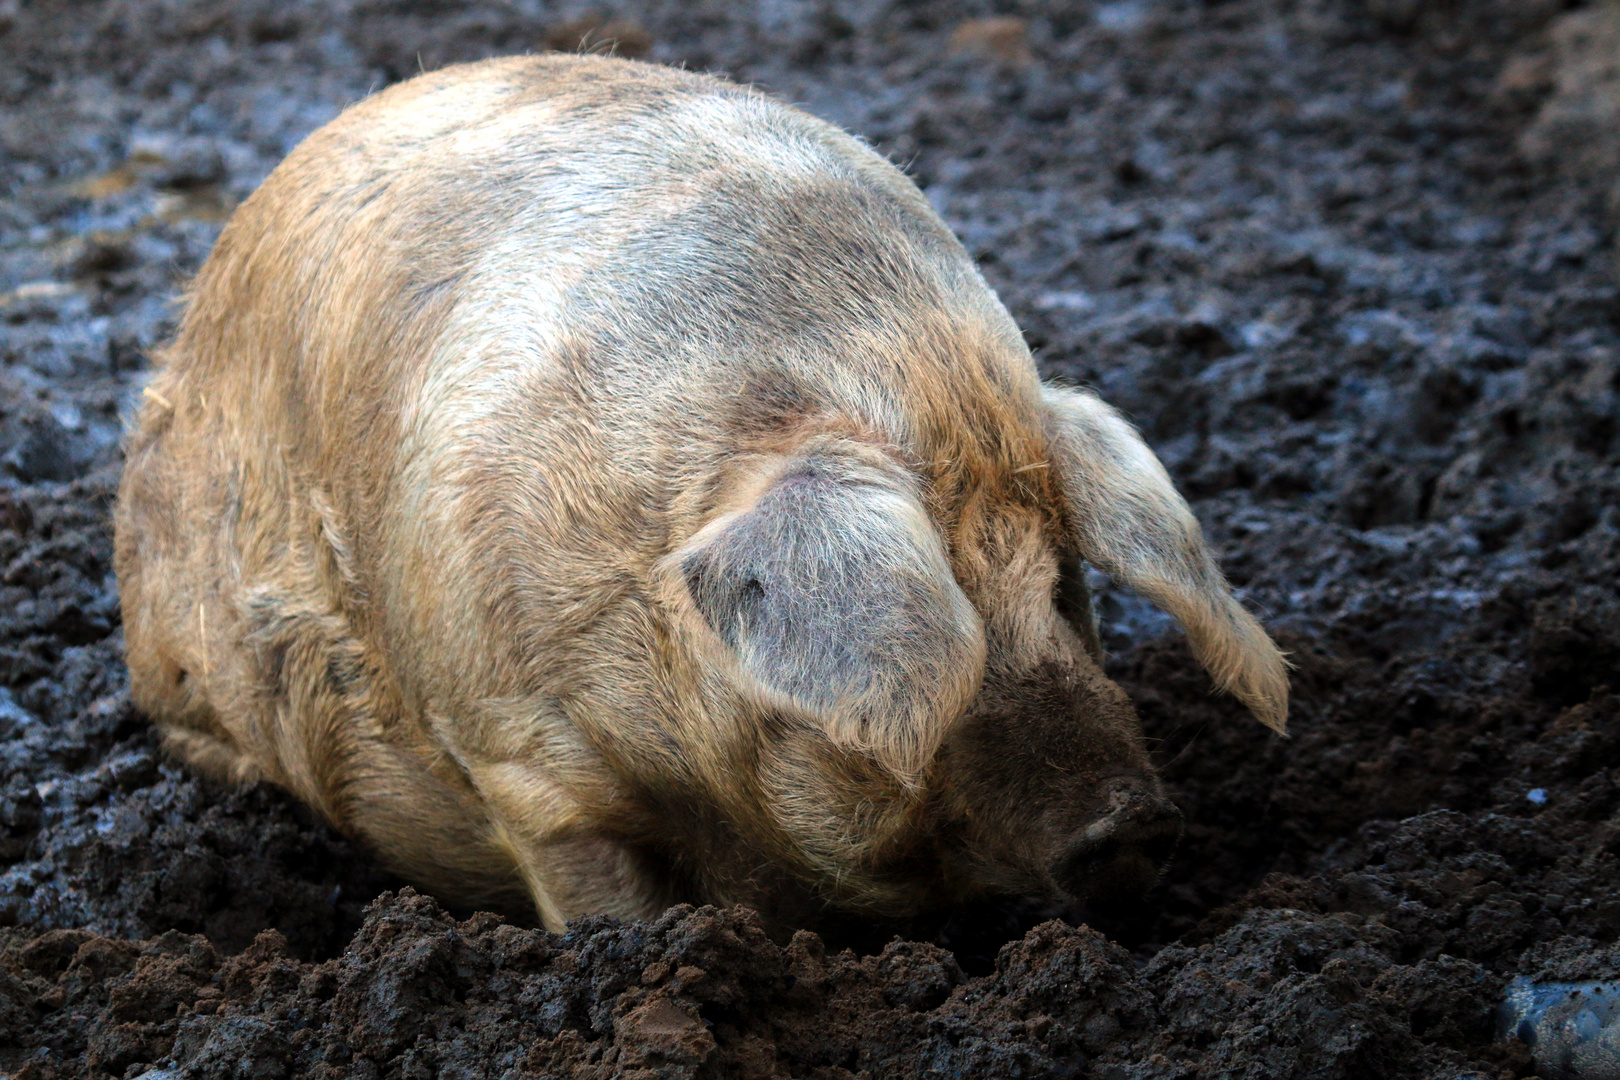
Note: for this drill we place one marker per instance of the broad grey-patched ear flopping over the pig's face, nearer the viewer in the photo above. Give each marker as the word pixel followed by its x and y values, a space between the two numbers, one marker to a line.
pixel 832 590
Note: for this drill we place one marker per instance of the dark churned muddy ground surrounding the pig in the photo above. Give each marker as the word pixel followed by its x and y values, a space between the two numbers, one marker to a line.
pixel 1349 265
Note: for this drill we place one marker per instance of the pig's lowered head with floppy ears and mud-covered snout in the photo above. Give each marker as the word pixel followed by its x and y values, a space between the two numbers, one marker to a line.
pixel 921 682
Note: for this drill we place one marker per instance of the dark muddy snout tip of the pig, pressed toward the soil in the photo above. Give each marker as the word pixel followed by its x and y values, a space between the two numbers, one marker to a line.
pixel 1122 853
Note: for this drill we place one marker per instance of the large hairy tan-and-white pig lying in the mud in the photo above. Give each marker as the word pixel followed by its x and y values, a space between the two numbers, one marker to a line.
pixel 597 487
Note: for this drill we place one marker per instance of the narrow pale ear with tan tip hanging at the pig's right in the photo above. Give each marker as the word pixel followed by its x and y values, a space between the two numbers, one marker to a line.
pixel 1128 521
